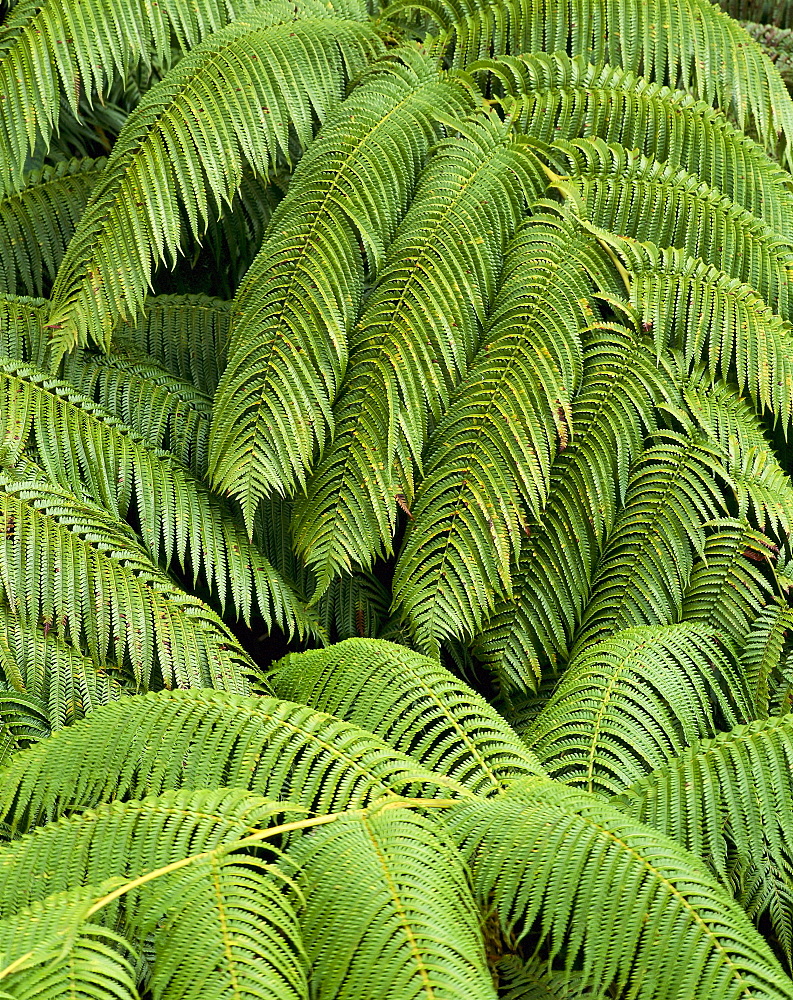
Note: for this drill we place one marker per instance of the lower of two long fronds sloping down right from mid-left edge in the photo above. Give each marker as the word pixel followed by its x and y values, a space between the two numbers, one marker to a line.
pixel 67 565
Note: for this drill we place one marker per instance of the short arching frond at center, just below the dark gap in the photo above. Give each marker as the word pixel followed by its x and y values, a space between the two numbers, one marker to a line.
pixel 412 703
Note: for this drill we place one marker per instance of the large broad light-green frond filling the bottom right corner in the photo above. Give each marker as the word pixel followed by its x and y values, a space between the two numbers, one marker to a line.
pixel 582 867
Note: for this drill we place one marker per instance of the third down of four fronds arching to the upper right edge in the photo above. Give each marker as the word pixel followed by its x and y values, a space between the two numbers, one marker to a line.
pixel 633 196
